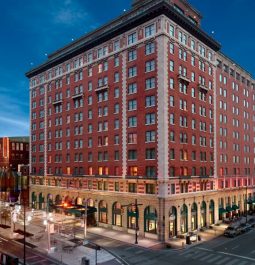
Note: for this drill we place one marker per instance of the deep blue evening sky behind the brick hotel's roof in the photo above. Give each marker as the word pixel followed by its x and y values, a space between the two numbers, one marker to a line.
pixel 32 28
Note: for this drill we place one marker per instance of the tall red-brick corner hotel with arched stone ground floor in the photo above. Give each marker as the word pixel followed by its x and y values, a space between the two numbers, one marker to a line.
pixel 146 107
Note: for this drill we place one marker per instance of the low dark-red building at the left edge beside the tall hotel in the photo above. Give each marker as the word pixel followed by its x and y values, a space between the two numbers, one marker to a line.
pixel 14 160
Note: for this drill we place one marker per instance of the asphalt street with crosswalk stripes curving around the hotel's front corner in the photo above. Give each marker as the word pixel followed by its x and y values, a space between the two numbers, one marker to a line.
pixel 220 251
